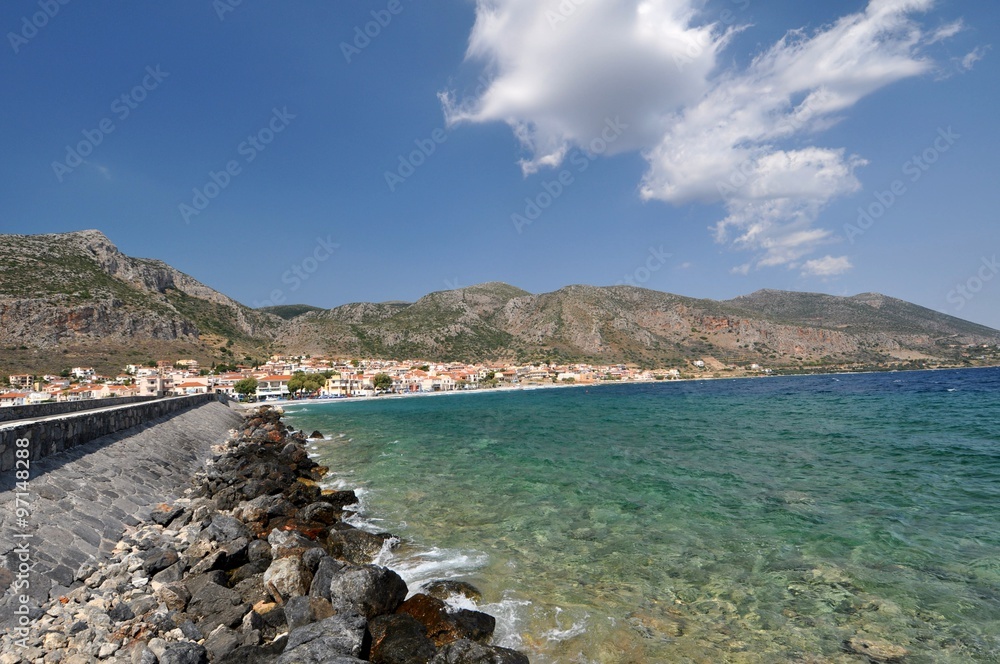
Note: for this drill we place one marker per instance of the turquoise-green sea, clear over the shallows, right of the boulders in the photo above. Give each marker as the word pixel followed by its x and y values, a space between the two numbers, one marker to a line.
pixel 759 520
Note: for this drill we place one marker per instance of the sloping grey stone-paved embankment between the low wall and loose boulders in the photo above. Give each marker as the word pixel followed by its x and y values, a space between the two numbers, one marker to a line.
pixel 82 499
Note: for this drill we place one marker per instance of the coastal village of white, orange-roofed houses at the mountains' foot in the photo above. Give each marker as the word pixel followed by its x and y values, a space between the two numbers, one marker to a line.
pixel 283 377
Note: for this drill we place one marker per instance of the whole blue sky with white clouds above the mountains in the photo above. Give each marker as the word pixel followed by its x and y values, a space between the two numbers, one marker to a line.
pixel 325 153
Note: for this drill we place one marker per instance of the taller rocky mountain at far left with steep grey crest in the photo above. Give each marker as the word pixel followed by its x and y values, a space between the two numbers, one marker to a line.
pixel 77 293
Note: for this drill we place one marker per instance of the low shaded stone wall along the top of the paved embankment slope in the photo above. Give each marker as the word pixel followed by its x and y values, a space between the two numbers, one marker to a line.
pixel 54 435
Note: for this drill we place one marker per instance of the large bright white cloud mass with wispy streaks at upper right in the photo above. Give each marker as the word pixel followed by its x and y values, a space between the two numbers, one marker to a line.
pixel 743 137
